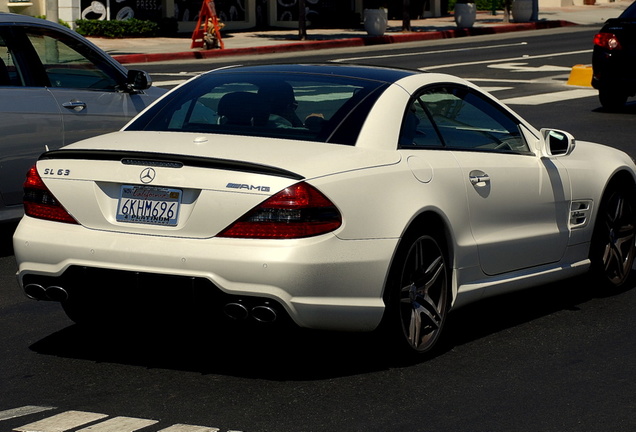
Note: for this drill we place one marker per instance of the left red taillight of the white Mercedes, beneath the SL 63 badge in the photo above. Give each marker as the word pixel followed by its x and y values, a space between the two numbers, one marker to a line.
pixel 40 203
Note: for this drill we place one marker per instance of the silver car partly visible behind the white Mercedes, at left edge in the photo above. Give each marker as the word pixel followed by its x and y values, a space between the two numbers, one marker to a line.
pixel 56 88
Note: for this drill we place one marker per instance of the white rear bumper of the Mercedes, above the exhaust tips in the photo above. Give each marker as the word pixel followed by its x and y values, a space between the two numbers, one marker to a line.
pixel 321 282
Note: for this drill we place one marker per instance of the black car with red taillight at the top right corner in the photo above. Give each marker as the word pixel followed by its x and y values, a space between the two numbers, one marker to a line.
pixel 614 60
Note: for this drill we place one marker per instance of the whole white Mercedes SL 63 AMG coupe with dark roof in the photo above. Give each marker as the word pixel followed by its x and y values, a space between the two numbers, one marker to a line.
pixel 333 197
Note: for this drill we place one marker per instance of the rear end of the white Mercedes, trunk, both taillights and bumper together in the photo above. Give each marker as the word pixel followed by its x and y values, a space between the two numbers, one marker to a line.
pixel 261 241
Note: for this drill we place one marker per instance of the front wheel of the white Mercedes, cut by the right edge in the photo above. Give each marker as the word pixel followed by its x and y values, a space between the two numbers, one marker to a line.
pixel 613 245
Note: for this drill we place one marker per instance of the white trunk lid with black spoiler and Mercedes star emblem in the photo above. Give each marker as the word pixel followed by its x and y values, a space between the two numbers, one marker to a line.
pixel 162 184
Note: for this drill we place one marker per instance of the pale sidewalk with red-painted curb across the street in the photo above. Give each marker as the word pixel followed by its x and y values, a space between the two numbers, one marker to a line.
pixel 142 50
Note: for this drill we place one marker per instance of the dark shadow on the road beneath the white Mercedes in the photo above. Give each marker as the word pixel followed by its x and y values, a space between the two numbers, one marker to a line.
pixel 293 354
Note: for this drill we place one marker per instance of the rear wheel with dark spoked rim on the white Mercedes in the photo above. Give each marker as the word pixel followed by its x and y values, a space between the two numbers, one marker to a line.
pixel 417 296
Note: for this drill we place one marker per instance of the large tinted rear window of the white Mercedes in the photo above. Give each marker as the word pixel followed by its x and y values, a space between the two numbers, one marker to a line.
pixel 323 108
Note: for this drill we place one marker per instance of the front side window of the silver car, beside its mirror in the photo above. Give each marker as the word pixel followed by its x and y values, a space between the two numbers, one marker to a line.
pixel 68 65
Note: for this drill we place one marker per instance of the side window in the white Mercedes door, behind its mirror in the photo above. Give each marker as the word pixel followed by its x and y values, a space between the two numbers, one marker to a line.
pixel 466 120
